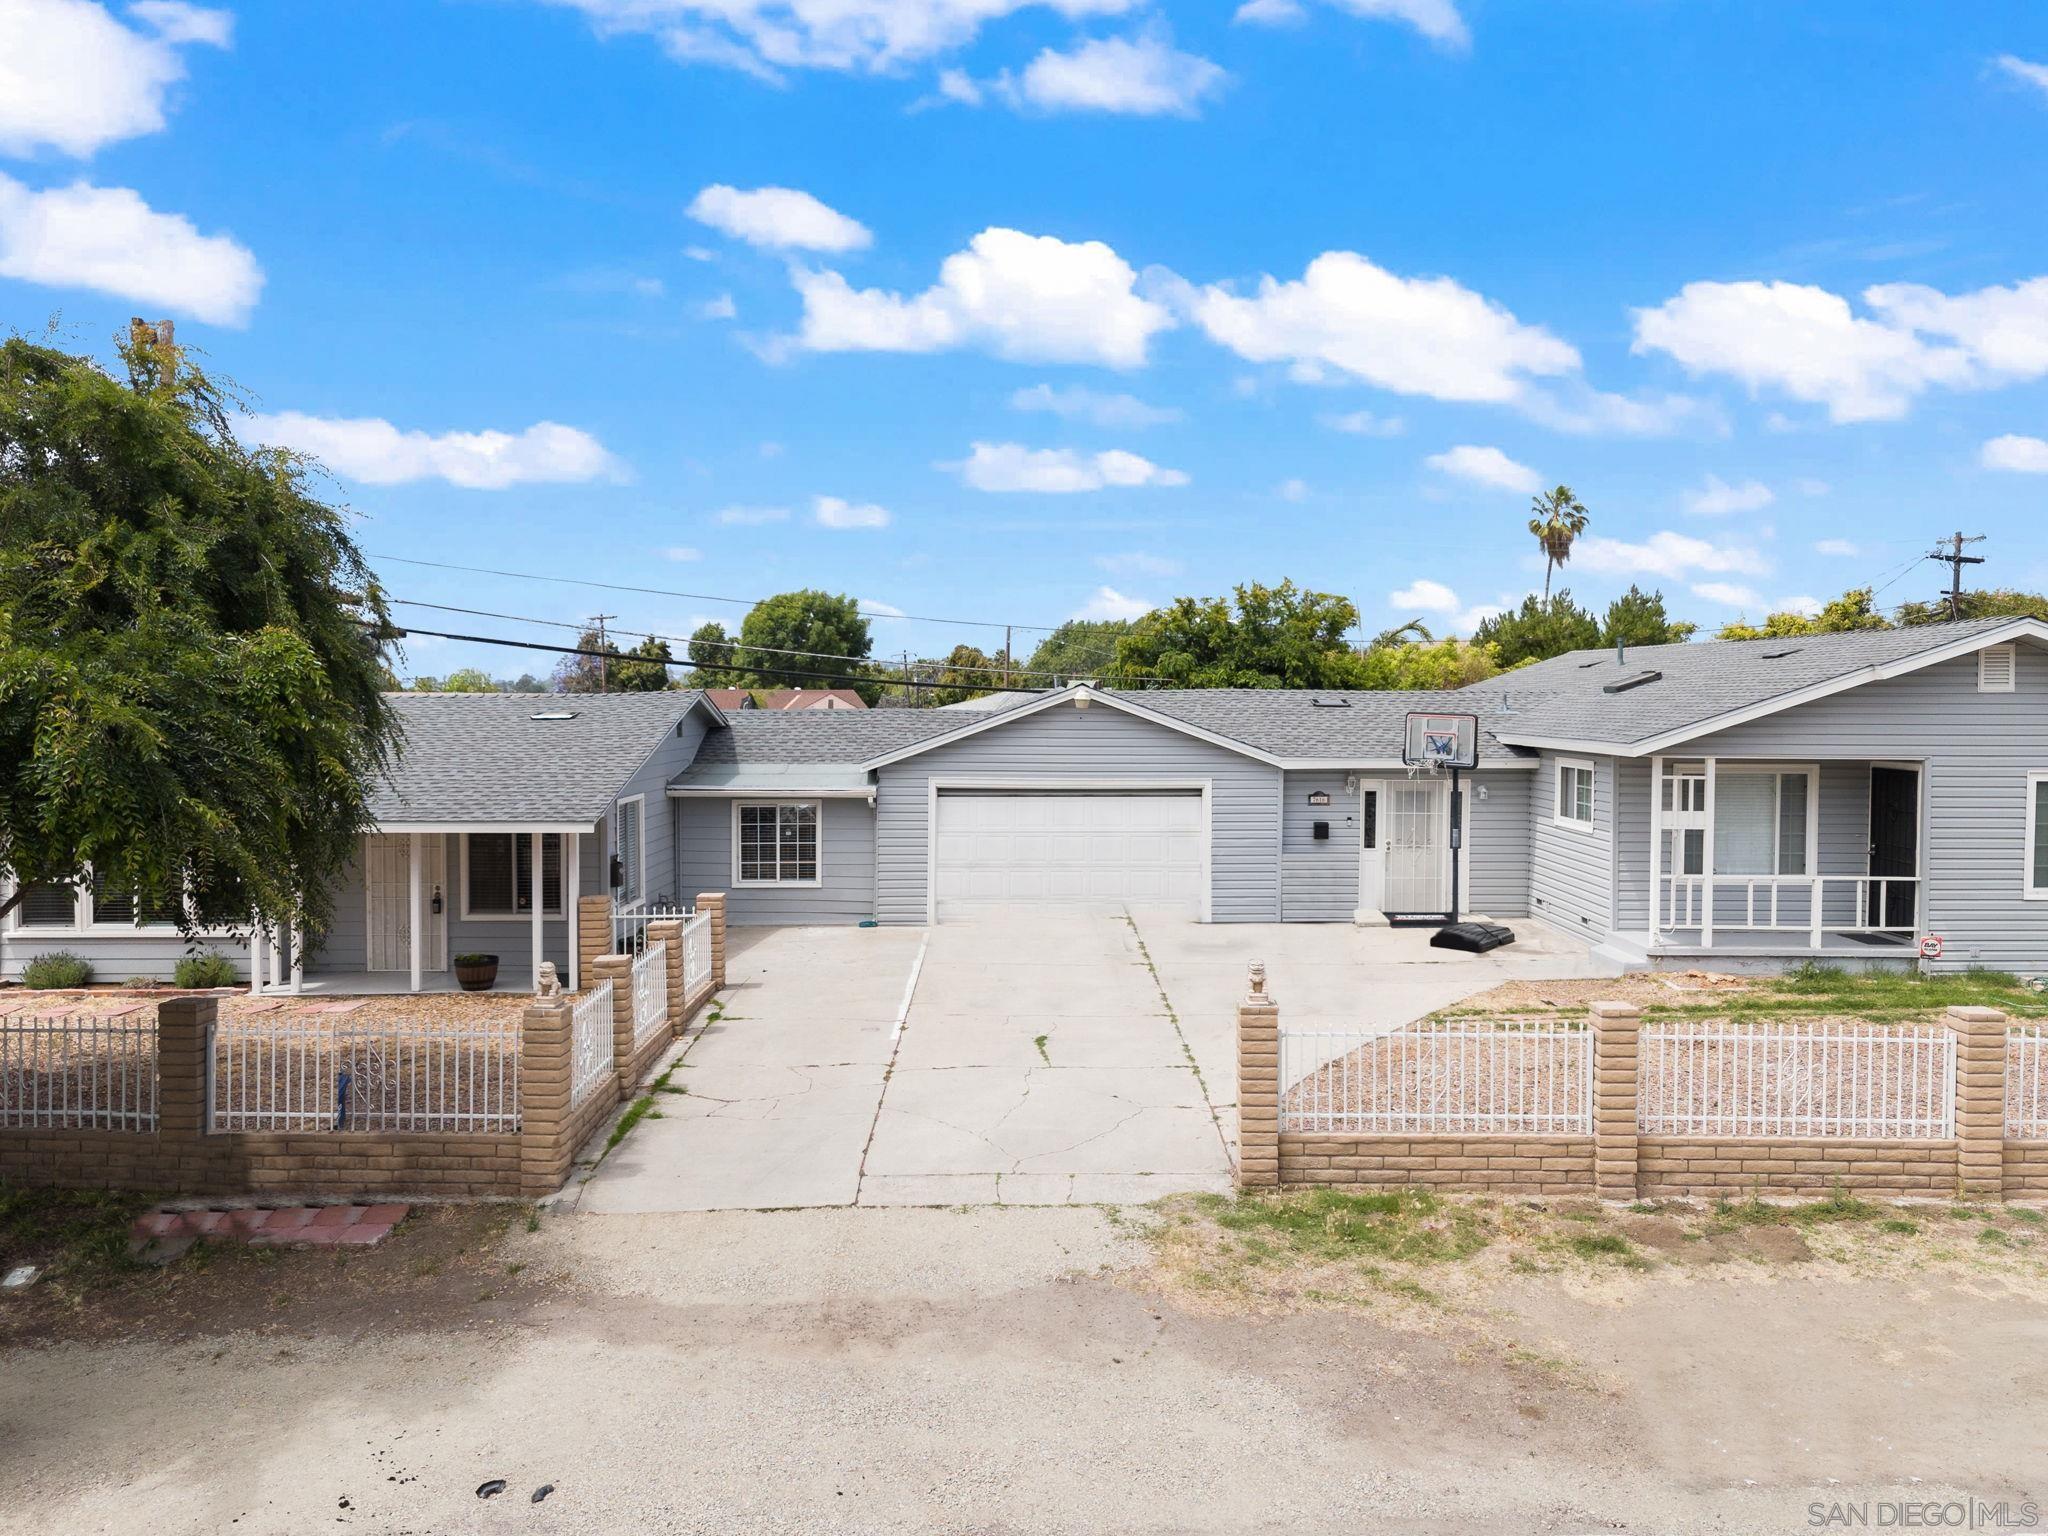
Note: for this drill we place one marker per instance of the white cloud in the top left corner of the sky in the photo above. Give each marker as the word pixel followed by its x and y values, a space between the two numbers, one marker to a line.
pixel 73 79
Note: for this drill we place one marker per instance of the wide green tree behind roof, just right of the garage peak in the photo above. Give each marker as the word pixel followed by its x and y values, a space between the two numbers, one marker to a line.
pixel 1265 638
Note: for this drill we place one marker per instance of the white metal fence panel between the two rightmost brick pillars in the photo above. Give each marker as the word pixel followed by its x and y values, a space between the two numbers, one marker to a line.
pixel 1797 1078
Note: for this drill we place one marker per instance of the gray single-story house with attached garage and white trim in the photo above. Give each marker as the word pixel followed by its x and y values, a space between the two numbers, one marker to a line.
pixel 1869 796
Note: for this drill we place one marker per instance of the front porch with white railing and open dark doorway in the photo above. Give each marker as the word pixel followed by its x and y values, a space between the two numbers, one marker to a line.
pixel 1785 859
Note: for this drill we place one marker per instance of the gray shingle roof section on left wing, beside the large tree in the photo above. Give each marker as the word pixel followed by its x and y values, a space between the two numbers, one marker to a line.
pixel 486 757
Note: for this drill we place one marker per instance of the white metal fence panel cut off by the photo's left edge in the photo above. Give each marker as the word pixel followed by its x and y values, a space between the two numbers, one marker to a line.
pixel 79 1074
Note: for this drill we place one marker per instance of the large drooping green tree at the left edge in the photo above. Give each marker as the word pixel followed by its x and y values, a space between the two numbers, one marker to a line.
pixel 189 646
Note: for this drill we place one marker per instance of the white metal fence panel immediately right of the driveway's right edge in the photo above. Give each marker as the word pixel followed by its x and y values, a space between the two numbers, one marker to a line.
pixel 1441 1078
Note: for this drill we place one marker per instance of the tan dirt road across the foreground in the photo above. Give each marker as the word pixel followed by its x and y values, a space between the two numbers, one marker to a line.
pixel 1002 1371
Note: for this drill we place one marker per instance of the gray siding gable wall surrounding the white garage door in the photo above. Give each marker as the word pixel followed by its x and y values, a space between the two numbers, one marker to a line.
pixel 1097 744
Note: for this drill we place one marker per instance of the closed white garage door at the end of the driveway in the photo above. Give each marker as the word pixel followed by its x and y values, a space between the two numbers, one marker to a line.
pixel 1068 849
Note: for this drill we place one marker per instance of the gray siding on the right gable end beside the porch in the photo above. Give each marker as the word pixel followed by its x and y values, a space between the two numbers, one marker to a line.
pixel 1977 753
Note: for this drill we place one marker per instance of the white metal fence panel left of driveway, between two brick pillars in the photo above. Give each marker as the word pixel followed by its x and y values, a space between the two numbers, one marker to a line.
pixel 312 1076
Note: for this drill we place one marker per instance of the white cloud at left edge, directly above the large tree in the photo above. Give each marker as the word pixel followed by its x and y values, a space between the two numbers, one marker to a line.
pixel 110 241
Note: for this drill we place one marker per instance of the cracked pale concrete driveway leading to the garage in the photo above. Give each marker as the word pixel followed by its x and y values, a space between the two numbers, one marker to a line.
pixel 1019 1060
